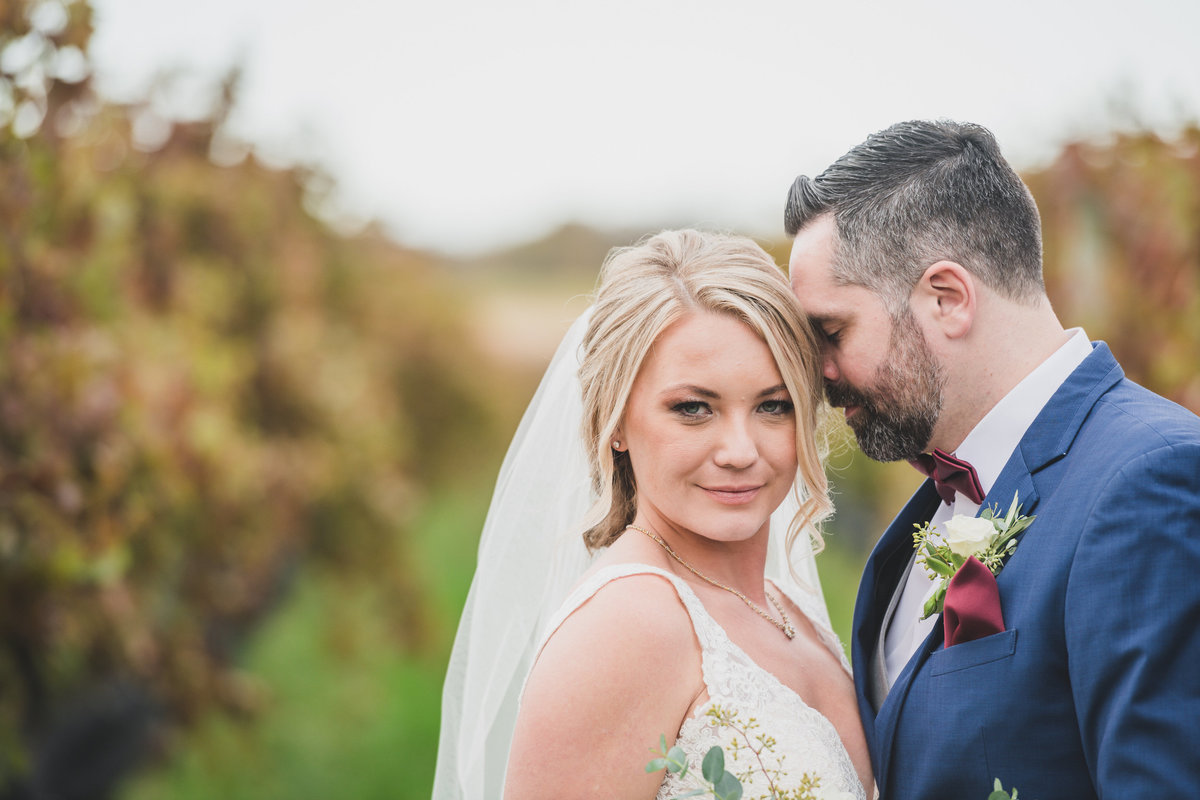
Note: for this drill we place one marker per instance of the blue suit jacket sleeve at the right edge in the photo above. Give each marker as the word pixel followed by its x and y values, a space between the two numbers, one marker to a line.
pixel 1133 628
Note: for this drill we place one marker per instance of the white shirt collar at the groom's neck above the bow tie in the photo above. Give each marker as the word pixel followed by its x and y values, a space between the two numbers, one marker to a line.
pixel 997 436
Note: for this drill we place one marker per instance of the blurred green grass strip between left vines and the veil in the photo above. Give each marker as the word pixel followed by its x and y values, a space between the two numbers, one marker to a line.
pixel 346 700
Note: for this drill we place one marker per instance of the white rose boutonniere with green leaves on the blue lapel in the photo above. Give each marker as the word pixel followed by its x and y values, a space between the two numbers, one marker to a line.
pixel 989 539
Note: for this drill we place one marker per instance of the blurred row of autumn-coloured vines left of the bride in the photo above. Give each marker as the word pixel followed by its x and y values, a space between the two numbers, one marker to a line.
pixel 202 390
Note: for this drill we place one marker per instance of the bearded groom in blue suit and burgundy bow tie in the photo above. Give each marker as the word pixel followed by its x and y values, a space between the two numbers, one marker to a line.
pixel 919 255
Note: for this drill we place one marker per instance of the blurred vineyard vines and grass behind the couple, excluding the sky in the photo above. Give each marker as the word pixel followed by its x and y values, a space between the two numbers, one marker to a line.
pixel 244 458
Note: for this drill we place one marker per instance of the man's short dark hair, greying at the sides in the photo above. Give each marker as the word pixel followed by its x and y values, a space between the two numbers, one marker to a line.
pixel 920 193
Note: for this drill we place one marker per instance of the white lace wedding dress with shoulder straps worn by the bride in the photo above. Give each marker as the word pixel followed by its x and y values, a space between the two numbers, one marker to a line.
pixel 737 684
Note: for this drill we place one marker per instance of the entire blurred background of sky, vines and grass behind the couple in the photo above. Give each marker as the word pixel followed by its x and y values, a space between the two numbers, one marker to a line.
pixel 278 280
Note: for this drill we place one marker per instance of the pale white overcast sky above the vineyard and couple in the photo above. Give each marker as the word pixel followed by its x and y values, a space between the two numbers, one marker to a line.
pixel 467 124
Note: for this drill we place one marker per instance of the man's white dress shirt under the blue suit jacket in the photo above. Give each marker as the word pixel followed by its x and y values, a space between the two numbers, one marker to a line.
pixel 988 448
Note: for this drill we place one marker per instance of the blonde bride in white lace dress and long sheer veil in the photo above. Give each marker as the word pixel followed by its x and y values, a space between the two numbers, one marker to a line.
pixel 700 388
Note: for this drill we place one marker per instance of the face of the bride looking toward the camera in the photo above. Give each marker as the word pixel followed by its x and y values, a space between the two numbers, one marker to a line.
pixel 710 430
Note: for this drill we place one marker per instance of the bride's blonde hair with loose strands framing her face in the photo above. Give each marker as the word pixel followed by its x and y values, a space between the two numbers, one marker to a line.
pixel 646 288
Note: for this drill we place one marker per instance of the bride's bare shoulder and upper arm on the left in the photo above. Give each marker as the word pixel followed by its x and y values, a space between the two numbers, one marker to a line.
pixel 621 671
